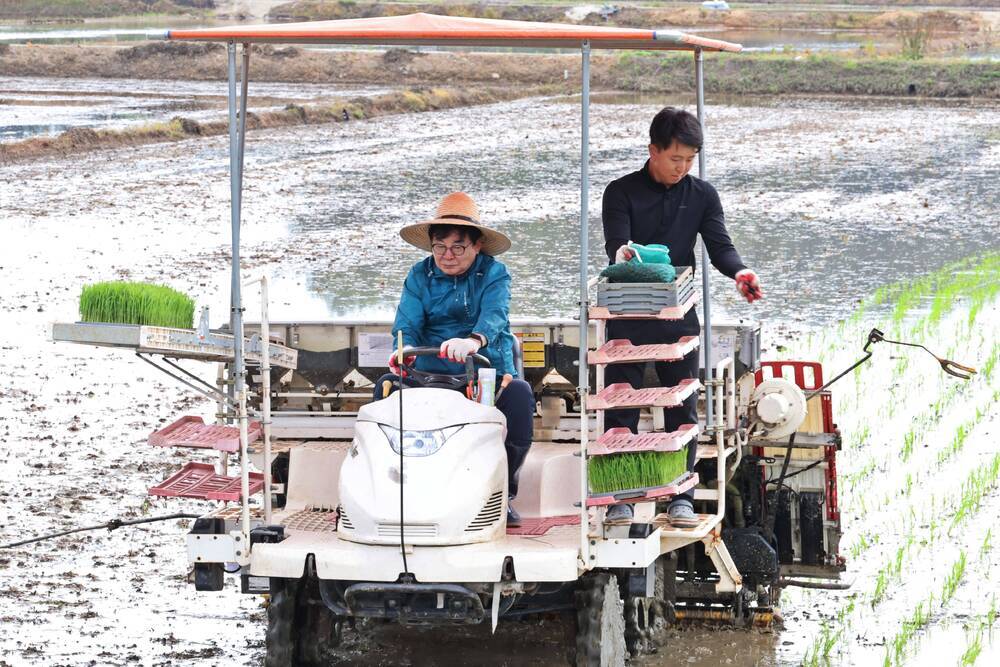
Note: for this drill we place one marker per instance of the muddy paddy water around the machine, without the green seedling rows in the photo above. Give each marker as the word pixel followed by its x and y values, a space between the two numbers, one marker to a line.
pixel 826 199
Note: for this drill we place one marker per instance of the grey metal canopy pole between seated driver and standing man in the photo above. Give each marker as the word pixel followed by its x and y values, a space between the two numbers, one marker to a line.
pixel 584 374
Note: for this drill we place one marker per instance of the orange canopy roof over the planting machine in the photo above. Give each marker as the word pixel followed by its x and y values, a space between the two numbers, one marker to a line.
pixel 431 29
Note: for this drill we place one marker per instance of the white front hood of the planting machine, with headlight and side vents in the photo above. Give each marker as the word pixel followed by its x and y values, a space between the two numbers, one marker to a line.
pixel 454 472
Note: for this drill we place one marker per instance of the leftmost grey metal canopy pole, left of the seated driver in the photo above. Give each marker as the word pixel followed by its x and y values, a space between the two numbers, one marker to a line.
pixel 237 130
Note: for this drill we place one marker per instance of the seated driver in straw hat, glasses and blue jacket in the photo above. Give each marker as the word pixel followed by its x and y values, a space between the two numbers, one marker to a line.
pixel 458 299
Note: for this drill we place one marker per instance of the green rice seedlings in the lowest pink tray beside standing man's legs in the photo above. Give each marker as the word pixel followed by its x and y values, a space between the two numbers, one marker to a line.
pixel 618 472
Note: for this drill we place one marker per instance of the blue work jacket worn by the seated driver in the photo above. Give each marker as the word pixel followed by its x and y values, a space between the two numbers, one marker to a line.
pixel 435 307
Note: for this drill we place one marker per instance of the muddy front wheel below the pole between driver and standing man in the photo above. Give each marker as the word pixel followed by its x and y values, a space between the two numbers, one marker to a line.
pixel 600 622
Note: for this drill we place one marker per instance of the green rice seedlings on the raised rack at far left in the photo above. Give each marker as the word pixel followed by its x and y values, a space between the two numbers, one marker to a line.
pixel 136 303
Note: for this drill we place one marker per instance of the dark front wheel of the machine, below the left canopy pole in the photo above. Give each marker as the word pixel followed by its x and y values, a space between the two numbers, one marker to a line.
pixel 301 630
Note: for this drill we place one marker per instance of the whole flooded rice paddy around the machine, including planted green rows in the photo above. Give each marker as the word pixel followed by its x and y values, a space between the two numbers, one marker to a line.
pixel 828 199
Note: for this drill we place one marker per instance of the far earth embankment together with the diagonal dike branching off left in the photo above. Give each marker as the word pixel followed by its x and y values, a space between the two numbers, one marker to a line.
pixel 448 80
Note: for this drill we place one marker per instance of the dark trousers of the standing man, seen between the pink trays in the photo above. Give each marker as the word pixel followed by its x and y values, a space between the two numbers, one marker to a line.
pixel 651 332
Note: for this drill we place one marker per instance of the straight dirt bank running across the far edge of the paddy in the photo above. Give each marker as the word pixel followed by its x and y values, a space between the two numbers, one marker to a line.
pixel 738 74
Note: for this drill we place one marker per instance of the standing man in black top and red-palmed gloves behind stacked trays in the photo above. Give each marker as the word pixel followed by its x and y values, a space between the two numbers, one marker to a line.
pixel 662 203
